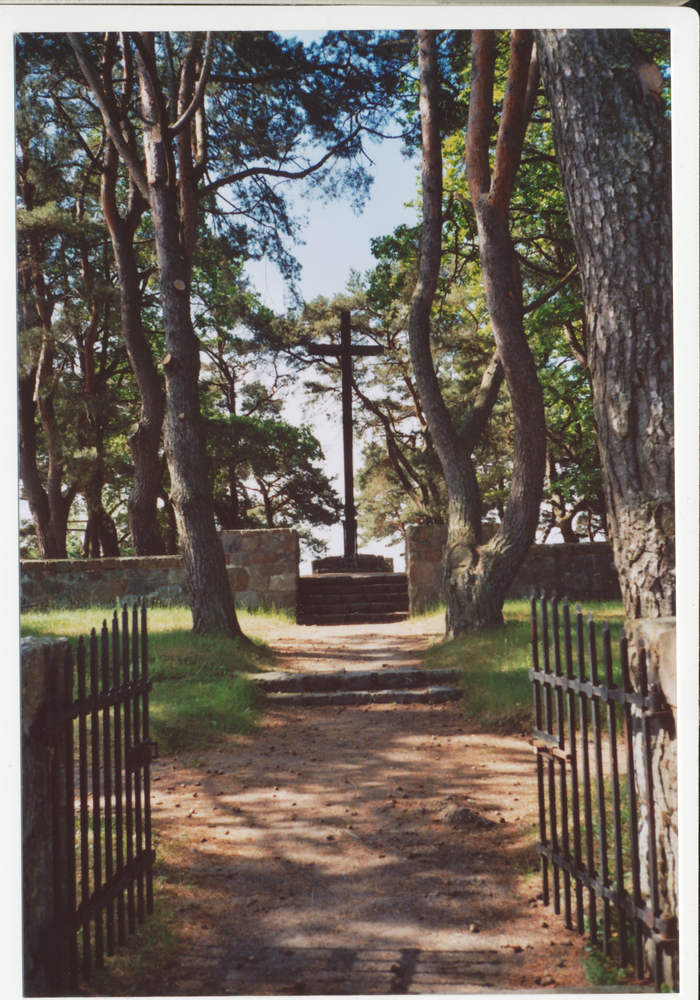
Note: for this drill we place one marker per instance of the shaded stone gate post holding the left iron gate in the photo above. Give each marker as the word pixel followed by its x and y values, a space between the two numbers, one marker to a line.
pixel 47 822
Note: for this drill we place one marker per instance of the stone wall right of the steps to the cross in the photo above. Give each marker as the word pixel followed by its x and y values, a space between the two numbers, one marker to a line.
pixel 581 572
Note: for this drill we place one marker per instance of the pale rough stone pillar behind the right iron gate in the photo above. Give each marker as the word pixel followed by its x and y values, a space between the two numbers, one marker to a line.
pixel 658 635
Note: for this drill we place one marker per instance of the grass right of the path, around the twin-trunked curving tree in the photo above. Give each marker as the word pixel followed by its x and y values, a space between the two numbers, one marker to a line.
pixel 495 662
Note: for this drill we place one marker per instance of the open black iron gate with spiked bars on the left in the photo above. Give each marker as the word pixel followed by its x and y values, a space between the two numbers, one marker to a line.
pixel 103 856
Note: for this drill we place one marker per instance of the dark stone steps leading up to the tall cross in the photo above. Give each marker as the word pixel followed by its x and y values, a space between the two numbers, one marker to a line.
pixel 352 598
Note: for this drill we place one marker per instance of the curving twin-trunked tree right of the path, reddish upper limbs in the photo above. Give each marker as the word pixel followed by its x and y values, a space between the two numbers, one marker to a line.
pixel 478 576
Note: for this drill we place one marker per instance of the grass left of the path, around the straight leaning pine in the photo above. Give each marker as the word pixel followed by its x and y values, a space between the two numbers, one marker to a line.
pixel 200 692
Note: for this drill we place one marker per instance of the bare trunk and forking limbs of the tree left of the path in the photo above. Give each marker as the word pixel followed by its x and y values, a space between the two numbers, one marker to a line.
pixel 169 187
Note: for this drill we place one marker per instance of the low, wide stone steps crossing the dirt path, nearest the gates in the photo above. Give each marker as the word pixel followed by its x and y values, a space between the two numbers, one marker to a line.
pixel 401 686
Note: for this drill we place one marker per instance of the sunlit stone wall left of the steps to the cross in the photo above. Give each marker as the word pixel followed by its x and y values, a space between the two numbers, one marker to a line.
pixel 262 564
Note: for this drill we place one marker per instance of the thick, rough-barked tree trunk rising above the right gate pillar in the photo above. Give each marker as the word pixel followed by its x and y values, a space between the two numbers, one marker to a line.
pixel 613 145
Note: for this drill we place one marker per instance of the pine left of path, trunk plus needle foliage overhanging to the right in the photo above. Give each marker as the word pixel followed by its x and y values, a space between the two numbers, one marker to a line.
pixel 193 157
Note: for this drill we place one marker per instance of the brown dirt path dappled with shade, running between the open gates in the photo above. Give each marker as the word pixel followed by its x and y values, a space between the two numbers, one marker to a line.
pixel 377 849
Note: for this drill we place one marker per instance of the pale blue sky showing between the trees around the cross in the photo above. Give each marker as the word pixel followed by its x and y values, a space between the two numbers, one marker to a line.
pixel 337 241
